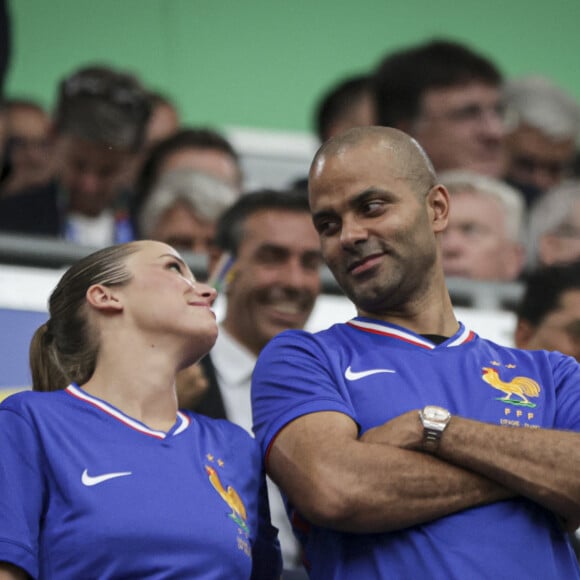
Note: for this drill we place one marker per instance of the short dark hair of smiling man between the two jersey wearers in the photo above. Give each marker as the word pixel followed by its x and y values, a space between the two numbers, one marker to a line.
pixel 230 225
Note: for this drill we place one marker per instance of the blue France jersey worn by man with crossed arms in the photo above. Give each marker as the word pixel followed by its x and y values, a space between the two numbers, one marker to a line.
pixel 373 371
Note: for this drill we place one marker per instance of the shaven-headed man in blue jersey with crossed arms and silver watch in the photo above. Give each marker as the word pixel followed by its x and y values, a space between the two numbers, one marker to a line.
pixel 408 446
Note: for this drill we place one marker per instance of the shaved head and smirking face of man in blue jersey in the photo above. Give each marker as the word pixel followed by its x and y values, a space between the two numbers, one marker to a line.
pixel 378 213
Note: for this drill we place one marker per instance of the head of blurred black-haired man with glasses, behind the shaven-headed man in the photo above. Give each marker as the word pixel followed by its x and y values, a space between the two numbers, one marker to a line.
pixel 447 97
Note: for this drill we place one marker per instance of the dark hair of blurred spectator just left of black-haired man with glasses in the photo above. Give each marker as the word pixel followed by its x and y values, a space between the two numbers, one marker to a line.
pixel 338 100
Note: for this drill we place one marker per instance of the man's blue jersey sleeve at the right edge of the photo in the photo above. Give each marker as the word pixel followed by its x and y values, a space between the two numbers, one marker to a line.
pixel 567 382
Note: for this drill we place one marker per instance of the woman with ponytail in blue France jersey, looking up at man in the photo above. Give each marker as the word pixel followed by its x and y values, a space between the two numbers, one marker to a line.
pixel 102 476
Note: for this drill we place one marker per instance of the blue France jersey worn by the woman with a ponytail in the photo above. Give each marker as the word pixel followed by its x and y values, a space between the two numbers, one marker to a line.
pixel 88 492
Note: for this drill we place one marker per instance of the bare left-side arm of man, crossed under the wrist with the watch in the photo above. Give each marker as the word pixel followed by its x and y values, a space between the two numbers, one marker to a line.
pixel 361 486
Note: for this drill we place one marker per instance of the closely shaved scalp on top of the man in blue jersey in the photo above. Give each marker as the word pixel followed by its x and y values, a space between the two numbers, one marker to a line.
pixel 407 157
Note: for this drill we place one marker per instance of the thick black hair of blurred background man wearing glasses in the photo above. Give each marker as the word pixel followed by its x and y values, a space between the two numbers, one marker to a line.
pixel 403 77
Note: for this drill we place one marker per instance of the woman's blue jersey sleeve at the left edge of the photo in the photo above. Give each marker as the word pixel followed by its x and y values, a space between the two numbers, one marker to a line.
pixel 21 489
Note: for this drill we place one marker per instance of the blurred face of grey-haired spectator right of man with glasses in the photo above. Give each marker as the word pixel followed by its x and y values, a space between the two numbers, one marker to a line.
pixel 534 159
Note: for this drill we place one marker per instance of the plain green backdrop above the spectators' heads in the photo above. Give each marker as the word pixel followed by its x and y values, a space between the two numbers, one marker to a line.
pixel 264 63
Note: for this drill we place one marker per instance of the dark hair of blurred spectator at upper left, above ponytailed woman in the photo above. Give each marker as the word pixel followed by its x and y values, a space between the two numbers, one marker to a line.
pixel 103 105
